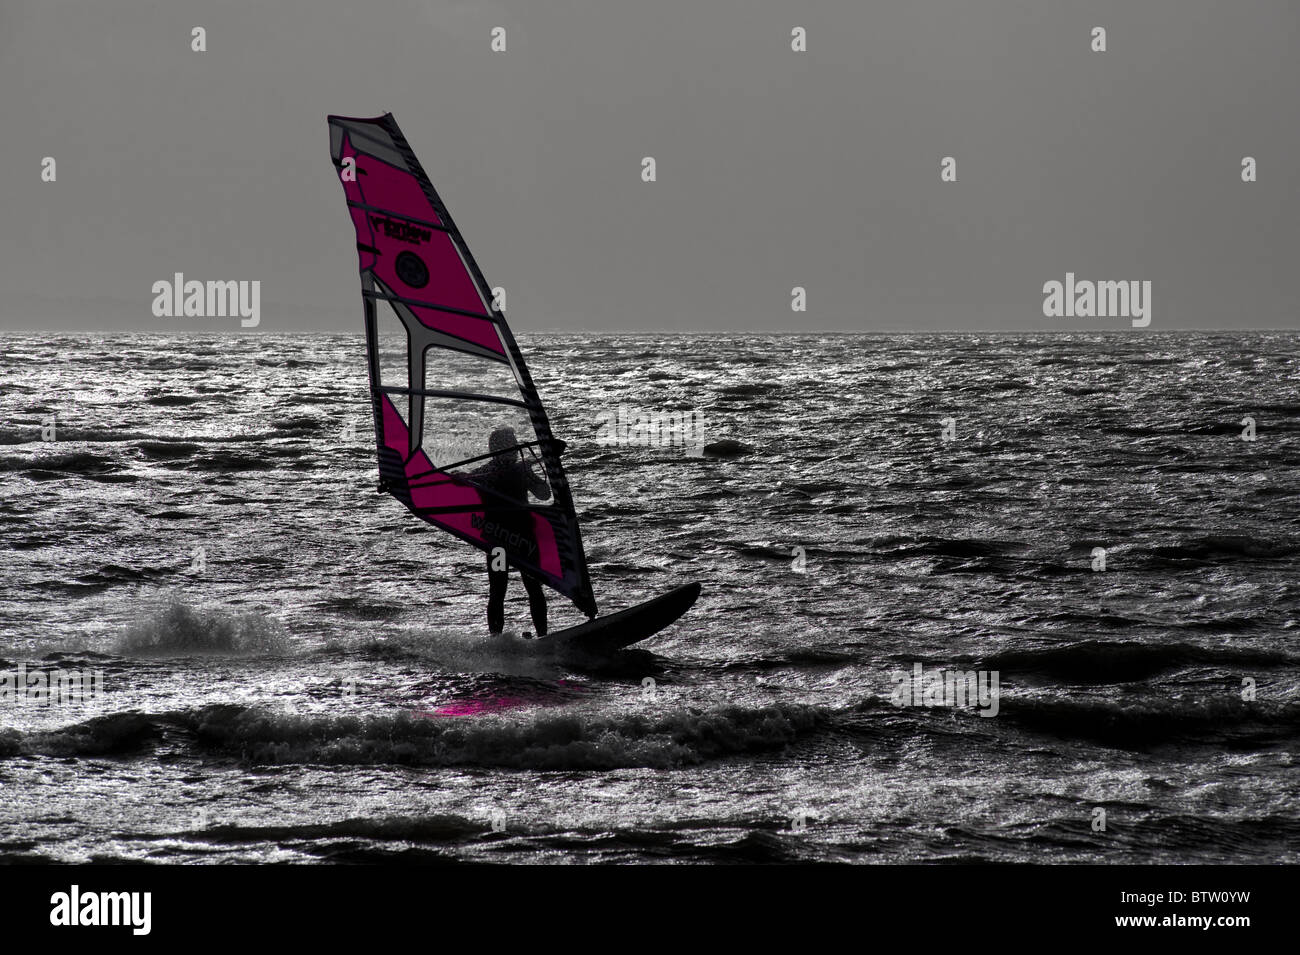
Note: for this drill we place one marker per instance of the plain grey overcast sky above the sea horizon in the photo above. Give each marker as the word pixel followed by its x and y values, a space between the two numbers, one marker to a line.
pixel 775 168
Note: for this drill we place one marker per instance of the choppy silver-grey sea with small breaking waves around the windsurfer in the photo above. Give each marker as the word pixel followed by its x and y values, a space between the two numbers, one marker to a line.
pixel 219 644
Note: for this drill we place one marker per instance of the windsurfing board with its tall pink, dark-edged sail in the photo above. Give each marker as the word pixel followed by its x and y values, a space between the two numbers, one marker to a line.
pixel 453 401
